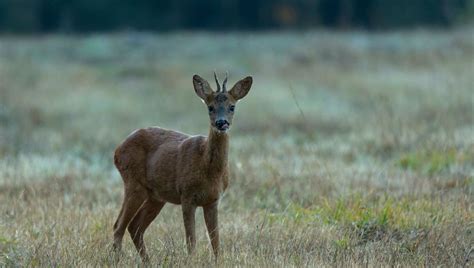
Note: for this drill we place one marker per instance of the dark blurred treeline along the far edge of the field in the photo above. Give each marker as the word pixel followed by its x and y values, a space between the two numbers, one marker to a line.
pixel 104 15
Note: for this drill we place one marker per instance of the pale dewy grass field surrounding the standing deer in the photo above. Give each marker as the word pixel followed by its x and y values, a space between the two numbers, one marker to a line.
pixel 351 148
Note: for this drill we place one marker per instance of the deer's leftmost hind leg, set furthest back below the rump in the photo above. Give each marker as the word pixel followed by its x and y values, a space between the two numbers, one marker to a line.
pixel 134 197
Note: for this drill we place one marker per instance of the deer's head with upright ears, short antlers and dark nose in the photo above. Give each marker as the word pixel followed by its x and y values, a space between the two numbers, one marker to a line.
pixel 221 103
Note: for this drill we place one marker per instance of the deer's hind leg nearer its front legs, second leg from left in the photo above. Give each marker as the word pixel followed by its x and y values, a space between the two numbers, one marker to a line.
pixel 140 223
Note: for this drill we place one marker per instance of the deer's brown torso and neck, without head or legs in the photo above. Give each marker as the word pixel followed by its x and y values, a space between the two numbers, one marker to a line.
pixel 177 165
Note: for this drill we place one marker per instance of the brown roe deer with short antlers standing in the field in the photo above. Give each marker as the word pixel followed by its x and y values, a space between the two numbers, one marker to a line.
pixel 159 166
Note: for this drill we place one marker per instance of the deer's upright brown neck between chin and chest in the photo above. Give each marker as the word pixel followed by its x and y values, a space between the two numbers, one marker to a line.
pixel 216 152
